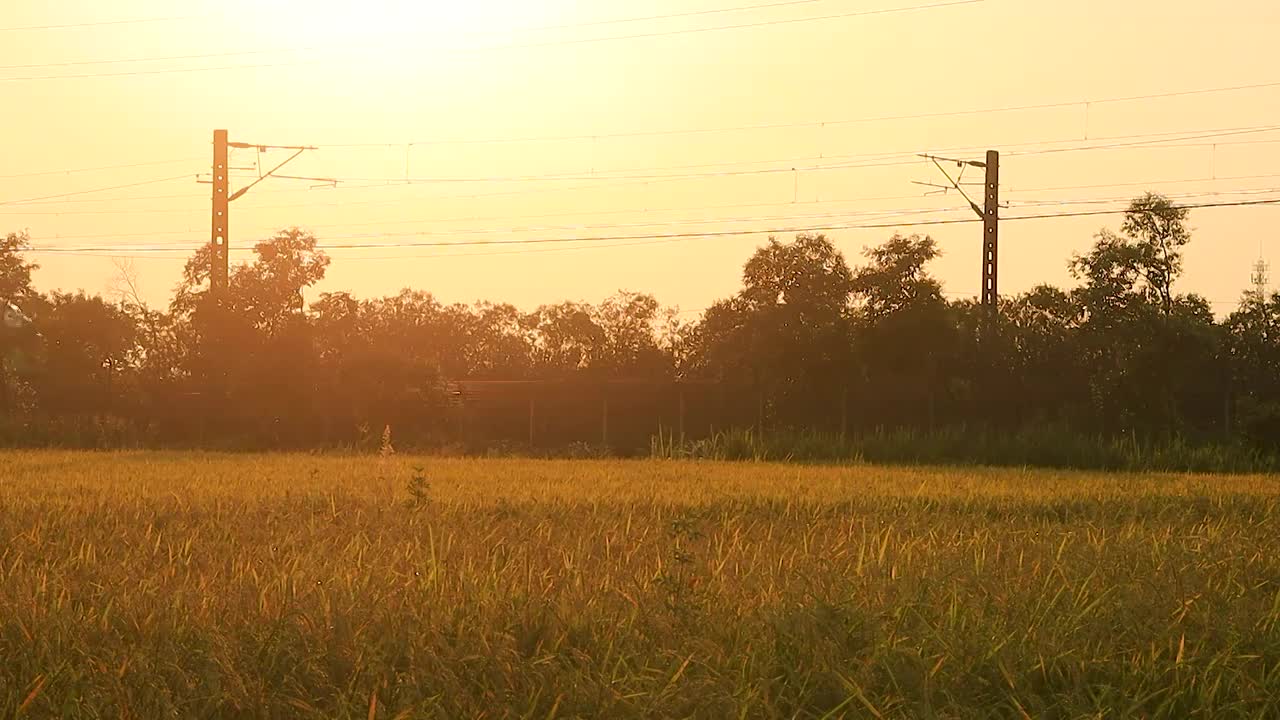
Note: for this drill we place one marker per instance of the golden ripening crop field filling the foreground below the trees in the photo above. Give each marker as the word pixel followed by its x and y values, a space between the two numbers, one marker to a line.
pixel 211 586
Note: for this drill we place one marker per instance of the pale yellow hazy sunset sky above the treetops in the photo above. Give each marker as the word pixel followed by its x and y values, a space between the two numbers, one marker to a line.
pixel 596 93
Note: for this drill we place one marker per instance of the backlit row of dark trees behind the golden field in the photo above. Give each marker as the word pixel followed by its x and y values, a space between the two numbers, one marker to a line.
pixel 820 343
